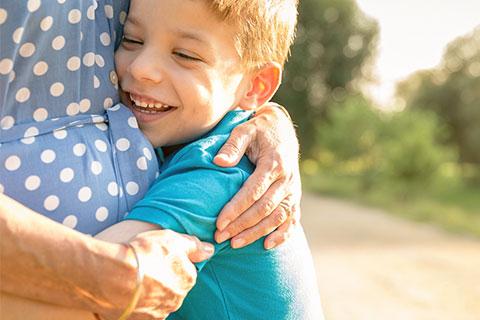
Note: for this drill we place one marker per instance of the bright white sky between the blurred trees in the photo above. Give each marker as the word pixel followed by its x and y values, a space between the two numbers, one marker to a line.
pixel 413 36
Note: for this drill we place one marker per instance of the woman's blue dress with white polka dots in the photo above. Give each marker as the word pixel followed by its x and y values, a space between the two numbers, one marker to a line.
pixel 68 149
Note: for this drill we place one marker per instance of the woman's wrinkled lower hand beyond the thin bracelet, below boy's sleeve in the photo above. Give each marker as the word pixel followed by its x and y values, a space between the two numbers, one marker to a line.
pixel 166 259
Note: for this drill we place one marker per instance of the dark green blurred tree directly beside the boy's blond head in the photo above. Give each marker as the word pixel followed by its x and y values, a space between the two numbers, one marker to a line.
pixel 334 43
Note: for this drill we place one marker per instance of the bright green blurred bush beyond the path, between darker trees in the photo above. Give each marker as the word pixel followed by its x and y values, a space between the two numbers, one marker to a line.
pixel 403 147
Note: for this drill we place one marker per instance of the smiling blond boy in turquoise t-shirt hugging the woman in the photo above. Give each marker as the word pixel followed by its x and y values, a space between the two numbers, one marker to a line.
pixel 190 70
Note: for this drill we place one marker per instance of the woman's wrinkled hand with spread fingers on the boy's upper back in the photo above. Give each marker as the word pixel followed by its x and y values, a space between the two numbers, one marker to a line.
pixel 270 142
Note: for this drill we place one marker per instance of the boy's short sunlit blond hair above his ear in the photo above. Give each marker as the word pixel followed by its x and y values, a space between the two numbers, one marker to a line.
pixel 265 29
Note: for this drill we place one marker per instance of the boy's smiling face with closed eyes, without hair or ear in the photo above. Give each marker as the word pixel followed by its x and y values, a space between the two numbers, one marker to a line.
pixel 178 69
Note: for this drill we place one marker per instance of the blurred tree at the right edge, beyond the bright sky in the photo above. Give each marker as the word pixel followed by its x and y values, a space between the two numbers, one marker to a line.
pixel 453 91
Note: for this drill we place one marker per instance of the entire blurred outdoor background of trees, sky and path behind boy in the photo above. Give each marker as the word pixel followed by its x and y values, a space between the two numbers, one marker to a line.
pixel 386 97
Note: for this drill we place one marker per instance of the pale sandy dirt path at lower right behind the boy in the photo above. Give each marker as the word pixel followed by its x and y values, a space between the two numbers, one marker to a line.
pixel 375 266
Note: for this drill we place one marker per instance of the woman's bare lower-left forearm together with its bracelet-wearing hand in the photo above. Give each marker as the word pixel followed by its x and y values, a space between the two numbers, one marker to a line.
pixel 43 260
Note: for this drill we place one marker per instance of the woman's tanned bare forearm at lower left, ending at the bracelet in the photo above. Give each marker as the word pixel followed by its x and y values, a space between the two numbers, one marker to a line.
pixel 43 260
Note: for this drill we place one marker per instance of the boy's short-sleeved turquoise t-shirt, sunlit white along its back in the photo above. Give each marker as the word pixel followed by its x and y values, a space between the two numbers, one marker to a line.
pixel 247 283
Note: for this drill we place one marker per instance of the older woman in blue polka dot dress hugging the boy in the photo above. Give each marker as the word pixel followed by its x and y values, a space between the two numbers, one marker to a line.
pixel 74 165
